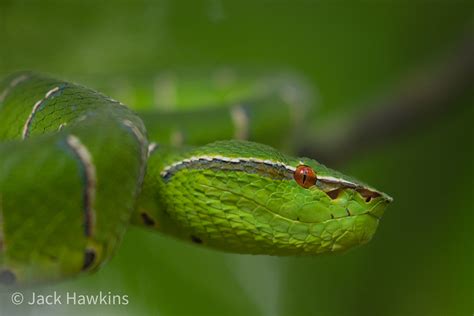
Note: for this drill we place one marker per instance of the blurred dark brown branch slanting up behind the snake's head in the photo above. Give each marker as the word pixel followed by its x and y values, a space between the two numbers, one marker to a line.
pixel 425 96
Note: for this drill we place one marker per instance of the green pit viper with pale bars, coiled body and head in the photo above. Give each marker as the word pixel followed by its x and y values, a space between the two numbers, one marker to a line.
pixel 77 167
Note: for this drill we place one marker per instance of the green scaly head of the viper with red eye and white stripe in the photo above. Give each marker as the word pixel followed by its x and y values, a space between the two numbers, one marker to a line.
pixel 249 198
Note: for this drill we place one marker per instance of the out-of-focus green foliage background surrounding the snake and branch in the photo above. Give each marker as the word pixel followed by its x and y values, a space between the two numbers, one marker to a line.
pixel 420 261
